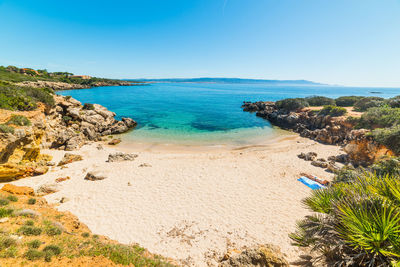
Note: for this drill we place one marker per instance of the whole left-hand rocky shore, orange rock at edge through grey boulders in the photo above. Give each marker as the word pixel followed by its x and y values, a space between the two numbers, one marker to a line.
pixel 68 125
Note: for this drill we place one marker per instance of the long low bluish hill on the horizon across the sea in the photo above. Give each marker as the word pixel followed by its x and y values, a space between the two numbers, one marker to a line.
pixel 230 80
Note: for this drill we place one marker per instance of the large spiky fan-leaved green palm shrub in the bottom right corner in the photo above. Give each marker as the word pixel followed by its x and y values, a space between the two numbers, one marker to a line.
pixel 355 223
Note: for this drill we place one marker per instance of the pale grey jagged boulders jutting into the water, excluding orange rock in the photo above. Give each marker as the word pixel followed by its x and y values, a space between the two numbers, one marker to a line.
pixel 71 124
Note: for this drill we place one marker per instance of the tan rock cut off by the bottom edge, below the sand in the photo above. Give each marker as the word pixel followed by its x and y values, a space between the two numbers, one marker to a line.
pixel 263 255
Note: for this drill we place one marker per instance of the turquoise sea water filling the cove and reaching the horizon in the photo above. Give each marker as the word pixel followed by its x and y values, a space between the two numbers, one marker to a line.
pixel 205 113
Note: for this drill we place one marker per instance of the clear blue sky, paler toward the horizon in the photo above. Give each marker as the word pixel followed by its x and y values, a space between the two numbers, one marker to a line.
pixel 350 42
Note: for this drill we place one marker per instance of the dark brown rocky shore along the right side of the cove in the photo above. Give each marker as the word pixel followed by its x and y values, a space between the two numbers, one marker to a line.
pixel 357 143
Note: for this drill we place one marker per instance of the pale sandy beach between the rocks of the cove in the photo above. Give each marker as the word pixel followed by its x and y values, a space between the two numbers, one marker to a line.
pixel 191 205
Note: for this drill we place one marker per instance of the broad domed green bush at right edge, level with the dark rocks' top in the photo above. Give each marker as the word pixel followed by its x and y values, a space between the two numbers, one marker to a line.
pixel 380 117
